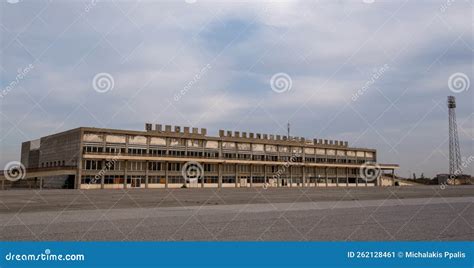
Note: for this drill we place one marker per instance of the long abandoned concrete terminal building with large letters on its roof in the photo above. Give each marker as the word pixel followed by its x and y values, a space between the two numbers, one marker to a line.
pixel 178 157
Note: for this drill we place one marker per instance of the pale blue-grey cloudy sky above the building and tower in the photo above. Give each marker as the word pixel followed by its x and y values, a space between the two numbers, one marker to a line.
pixel 374 73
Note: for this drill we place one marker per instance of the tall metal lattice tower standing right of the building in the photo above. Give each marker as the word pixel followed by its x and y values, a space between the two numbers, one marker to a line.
pixel 454 151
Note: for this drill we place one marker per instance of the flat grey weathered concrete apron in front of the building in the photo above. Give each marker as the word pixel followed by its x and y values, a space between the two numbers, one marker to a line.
pixel 398 213
